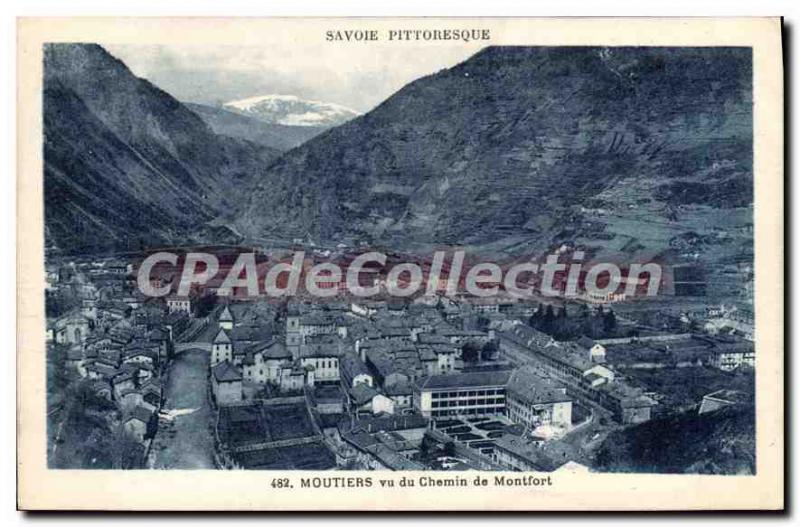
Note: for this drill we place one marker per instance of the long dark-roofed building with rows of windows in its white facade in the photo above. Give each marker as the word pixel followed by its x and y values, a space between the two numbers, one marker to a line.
pixel 469 393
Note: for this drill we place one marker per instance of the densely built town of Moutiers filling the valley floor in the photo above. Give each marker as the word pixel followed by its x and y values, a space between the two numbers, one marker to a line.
pixel 431 382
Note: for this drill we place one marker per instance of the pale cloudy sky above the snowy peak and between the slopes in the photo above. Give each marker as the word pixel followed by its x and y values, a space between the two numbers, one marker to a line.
pixel 356 77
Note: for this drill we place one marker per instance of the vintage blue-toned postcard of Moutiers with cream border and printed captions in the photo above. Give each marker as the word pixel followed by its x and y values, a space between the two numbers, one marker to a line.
pixel 400 264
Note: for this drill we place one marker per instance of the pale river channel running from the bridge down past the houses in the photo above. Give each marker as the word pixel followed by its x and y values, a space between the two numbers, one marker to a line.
pixel 185 429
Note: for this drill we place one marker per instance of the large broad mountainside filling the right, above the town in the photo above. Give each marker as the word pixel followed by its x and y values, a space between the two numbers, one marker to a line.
pixel 507 144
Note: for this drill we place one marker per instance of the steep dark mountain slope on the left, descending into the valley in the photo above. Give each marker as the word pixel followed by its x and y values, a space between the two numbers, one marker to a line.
pixel 127 165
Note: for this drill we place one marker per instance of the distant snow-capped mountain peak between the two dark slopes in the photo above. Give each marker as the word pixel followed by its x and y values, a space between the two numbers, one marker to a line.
pixel 292 110
